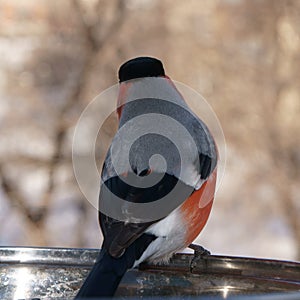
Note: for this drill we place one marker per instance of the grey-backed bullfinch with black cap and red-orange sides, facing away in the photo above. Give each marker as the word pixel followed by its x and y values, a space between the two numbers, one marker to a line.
pixel 158 179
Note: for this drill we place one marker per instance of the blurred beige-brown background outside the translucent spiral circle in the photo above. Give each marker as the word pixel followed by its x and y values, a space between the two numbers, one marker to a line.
pixel 242 56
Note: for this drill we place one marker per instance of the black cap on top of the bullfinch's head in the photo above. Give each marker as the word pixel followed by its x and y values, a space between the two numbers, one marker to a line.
pixel 141 67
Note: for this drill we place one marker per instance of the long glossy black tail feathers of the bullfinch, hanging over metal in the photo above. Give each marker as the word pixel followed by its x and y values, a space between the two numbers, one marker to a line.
pixel 106 274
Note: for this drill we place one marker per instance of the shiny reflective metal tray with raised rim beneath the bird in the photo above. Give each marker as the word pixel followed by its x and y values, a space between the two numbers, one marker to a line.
pixel 53 273
